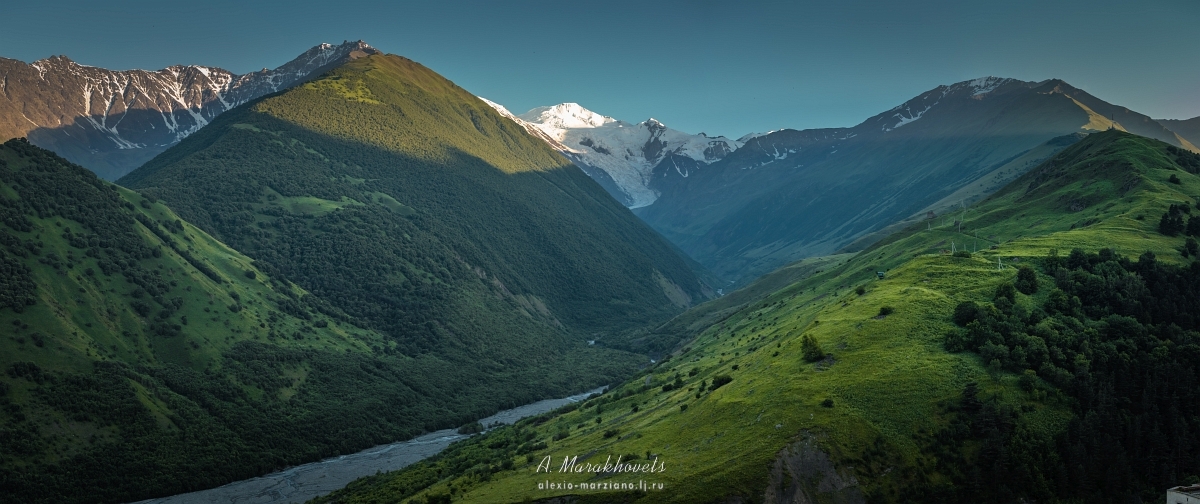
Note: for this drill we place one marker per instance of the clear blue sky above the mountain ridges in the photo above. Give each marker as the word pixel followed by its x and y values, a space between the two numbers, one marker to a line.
pixel 723 68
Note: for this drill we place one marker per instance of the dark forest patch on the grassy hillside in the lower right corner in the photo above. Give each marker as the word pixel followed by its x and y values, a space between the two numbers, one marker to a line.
pixel 1120 341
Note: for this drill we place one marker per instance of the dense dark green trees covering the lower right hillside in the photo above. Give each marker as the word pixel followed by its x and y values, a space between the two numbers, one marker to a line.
pixel 1113 332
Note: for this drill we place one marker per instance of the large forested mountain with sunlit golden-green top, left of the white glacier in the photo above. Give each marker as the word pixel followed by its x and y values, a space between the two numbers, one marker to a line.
pixel 405 154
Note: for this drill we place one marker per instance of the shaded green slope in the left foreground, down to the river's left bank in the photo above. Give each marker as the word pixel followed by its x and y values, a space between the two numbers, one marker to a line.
pixel 143 358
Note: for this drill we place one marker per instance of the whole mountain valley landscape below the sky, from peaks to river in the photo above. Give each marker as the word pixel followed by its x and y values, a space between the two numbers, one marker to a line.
pixel 311 283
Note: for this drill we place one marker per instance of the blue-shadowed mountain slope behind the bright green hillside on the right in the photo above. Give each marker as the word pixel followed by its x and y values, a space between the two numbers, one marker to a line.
pixel 797 194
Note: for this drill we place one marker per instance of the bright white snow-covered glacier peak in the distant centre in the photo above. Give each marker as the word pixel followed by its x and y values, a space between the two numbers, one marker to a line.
pixel 634 157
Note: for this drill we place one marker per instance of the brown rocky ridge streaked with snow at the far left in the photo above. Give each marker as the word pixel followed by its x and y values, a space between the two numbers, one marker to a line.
pixel 112 122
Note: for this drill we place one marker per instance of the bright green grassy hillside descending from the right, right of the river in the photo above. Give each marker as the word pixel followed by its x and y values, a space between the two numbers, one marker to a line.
pixel 890 415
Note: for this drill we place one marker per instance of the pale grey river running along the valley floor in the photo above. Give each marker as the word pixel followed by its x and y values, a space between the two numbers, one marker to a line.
pixel 303 483
